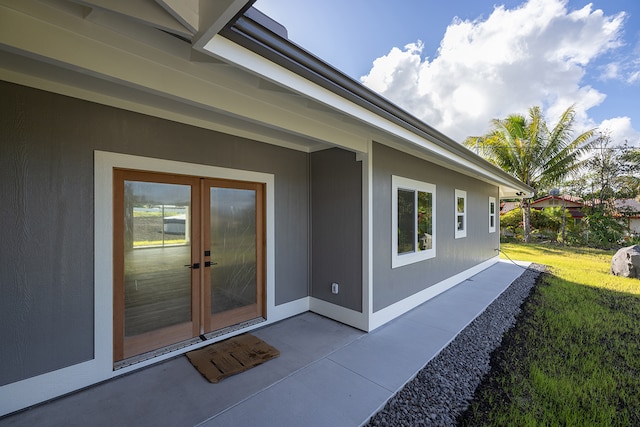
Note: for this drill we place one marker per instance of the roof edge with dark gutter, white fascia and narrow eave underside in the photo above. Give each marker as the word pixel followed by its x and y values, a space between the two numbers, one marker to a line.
pixel 288 65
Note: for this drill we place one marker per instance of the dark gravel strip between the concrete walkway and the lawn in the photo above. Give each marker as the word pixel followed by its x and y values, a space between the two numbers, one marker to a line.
pixel 442 390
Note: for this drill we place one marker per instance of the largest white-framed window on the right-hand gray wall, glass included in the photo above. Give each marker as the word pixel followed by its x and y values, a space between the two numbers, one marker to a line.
pixel 413 221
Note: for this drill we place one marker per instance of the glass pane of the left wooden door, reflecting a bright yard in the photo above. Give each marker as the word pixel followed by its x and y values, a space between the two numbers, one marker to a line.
pixel 157 285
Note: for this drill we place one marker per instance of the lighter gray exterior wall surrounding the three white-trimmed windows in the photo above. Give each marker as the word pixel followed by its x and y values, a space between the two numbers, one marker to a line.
pixel 452 255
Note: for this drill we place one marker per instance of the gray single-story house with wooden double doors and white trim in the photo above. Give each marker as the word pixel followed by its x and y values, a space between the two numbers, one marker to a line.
pixel 174 175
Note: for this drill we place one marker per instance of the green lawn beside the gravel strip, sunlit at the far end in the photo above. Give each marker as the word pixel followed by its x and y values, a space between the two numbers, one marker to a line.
pixel 573 358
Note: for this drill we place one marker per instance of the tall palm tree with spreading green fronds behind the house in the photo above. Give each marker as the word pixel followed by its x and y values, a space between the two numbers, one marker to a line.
pixel 526 148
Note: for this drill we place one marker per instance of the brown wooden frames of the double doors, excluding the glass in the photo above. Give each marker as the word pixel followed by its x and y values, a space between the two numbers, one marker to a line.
pixel 202 321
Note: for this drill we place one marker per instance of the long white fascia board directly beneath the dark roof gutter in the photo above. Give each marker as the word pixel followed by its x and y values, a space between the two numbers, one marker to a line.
pixel 229 51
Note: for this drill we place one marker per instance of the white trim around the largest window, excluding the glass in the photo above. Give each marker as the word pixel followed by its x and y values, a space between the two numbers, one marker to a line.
pixel 398 182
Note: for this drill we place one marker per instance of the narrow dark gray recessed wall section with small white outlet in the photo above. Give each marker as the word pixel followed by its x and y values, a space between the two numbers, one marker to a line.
pixel 336 211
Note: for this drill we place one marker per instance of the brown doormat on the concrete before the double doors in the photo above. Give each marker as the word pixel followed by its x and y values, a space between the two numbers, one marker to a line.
pixel 229 357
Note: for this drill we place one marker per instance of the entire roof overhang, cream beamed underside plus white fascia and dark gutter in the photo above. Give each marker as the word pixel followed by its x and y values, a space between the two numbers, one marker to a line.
pixel 248 81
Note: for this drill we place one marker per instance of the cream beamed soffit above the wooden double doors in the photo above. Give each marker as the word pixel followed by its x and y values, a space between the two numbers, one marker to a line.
pixel 116 61
